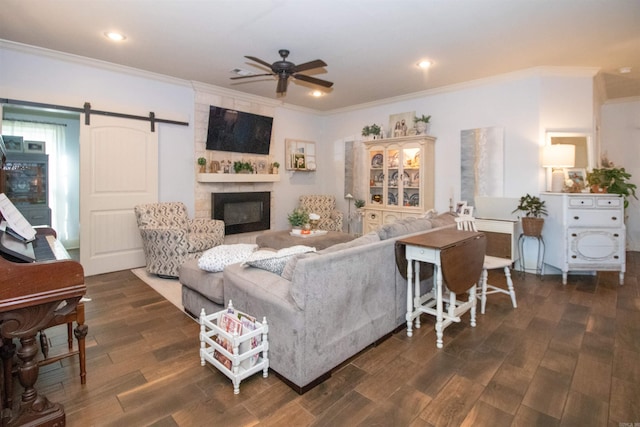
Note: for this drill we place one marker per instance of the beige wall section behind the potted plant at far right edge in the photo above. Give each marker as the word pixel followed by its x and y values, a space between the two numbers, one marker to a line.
pixel 620 140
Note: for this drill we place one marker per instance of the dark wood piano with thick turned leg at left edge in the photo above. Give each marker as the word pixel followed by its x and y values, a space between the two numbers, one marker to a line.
pixel 34 296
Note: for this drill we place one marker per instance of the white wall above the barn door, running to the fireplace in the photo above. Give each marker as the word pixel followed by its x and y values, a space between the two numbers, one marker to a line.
pixel 42 76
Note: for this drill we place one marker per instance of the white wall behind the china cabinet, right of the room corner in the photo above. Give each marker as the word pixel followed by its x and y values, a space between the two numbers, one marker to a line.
pixel 524 104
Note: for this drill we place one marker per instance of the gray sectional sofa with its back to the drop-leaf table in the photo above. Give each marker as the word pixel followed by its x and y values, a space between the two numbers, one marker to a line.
pixel 329 305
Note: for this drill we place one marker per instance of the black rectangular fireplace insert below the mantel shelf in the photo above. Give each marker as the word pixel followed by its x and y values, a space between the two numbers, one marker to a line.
pixel 242 212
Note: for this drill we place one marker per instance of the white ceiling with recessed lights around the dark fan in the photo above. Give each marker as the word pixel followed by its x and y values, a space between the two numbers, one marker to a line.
pixel 371 46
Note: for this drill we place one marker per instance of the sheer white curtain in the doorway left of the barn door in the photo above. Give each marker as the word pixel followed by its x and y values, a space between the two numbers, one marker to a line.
pixel 62 195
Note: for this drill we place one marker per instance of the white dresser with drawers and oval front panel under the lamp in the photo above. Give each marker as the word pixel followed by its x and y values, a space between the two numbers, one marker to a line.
pixel 584 232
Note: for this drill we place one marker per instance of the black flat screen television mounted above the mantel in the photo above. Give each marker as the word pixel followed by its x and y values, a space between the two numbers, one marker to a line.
pixel 237 131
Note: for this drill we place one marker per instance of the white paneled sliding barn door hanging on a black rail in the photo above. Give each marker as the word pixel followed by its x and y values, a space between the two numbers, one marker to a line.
pixel 118 170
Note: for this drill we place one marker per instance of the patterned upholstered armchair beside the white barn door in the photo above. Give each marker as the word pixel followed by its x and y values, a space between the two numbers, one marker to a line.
pixel 170 238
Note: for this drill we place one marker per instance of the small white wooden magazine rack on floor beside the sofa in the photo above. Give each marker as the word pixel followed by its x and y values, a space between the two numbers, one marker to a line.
pixel 245 360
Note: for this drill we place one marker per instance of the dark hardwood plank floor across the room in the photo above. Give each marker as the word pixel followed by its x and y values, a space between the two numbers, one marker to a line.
pixel 567 356
